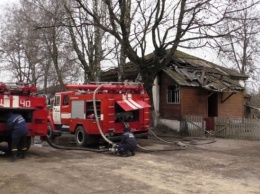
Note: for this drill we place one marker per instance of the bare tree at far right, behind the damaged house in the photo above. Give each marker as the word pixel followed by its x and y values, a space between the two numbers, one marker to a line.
pixel 240 49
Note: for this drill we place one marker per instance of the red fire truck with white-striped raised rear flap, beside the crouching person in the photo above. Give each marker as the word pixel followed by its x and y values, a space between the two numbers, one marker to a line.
pixel 96 110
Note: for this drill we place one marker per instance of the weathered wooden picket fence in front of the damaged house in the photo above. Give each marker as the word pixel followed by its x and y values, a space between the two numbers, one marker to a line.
pixel 236 128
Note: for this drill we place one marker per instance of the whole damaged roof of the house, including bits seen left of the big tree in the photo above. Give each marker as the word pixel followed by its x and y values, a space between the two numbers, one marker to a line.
pixel 187 70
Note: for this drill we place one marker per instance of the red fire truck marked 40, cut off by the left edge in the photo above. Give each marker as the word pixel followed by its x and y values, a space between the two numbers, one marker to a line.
pixel 23 99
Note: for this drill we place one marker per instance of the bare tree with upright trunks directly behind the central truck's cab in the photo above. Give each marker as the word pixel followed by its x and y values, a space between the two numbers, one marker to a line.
pixel 86 40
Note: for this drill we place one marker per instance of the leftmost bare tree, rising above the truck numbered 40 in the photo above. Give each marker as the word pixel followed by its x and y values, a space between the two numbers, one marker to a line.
pixel 20 48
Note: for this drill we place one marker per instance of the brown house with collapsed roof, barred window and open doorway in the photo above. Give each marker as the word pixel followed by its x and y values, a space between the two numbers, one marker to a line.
pixel 193 86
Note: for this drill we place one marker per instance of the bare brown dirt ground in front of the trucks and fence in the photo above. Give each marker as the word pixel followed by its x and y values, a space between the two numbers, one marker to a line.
pixel 225 166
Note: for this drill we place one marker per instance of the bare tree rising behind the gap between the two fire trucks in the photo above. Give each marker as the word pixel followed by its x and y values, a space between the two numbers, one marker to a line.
pixel 56 48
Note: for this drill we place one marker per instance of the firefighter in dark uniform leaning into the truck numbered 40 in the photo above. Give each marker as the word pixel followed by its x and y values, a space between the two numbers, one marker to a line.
pixel 18 131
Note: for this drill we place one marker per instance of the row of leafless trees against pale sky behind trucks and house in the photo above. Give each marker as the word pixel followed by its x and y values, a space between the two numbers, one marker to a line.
pixel 54 42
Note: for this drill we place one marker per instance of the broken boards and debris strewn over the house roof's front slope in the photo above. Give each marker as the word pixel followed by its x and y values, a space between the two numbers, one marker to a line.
pixel 195 72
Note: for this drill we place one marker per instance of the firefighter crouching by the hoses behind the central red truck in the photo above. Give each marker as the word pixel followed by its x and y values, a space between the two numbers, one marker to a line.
pixel 127 144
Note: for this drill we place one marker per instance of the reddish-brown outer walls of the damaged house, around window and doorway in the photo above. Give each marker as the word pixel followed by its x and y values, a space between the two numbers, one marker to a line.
pixel 194 101
